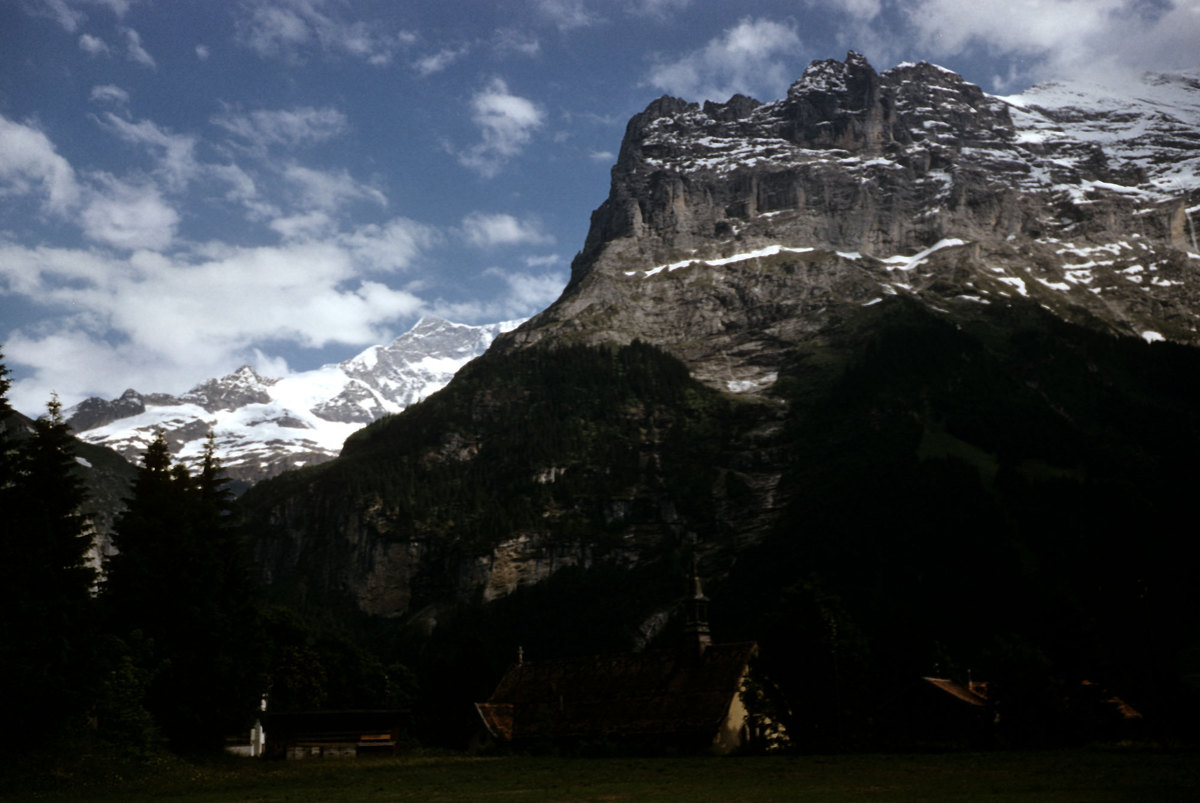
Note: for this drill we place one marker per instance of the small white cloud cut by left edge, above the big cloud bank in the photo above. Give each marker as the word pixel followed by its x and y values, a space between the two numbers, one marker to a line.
pixel 29 164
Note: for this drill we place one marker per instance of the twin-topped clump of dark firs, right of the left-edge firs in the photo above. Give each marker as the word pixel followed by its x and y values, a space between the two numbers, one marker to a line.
pixel 181 582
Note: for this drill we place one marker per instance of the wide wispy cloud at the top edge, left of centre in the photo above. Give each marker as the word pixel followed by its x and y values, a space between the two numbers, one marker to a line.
pixel 290 29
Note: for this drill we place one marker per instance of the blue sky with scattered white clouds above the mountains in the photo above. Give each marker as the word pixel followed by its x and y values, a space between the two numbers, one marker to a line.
pixel 188 187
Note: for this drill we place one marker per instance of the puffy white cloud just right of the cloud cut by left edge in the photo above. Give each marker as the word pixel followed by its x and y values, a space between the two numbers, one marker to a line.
pixel 129 217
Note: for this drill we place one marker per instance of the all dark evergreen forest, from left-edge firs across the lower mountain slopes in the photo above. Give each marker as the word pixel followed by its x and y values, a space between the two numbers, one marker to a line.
pixel 1000 496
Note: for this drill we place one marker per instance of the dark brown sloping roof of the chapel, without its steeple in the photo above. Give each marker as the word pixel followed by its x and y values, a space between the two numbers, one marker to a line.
pixel 659 694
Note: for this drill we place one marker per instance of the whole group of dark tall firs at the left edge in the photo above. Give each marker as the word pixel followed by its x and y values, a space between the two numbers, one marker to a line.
pixel 161 650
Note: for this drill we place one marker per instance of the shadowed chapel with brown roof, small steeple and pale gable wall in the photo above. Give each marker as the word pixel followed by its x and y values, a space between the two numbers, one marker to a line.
pixel 693 699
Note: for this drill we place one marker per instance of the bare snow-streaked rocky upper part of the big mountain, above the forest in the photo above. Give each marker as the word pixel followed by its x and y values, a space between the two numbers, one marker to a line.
pixel 736 230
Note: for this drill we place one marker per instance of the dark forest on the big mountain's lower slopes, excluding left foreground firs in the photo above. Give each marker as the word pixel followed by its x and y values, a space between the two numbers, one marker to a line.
pixel 1003 496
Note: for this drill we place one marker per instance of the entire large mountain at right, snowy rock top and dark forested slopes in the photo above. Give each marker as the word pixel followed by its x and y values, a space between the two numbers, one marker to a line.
pixel 911 369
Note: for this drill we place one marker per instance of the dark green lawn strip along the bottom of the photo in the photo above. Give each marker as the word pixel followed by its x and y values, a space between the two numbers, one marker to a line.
pixel 1046 776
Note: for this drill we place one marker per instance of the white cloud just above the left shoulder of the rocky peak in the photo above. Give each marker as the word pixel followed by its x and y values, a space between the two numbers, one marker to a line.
pixel 752 58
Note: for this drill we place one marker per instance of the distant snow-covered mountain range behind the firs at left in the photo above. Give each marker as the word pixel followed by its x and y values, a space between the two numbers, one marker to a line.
pixel 268 426
